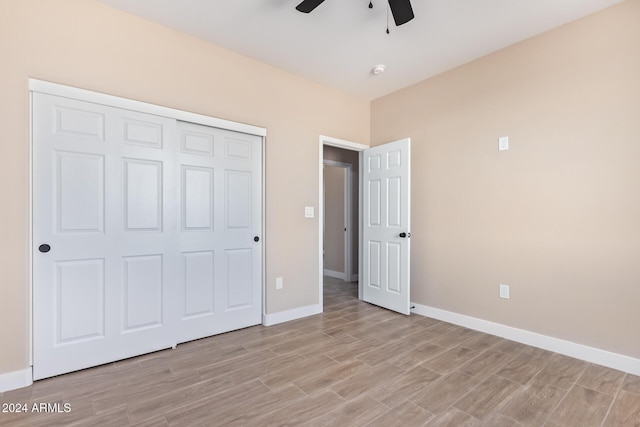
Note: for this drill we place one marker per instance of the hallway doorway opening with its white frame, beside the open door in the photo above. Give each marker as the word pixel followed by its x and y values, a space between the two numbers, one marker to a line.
pixel 339 212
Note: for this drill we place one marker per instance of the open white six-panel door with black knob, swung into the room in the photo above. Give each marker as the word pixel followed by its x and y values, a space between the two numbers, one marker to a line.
pixel 386 225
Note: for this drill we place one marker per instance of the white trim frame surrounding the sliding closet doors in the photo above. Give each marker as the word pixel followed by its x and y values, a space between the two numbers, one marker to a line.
pixel 50 88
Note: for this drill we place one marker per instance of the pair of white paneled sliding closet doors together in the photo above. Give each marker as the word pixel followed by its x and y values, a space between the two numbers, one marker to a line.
pixel 143 233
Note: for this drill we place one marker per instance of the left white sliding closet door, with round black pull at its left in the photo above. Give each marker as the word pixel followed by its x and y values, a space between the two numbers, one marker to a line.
pixel 103 233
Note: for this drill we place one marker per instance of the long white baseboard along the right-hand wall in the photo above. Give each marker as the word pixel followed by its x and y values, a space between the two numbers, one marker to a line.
pixel 568 348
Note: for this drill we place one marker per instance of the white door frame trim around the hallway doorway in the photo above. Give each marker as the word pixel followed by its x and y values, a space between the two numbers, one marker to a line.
pixel 351 146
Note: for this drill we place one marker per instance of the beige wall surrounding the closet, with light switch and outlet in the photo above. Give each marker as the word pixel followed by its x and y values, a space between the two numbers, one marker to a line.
pixel 85 44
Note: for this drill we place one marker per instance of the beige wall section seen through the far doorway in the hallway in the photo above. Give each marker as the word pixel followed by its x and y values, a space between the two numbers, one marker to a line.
pixel 334 223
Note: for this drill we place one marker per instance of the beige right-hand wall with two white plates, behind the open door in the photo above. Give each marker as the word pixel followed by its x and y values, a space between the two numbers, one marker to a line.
pixel 557 217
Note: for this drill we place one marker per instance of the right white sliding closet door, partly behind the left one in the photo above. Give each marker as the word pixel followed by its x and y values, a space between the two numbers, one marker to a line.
pixel 220 230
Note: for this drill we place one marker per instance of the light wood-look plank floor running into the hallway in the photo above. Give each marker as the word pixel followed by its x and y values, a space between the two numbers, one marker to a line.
pixel 353 365
